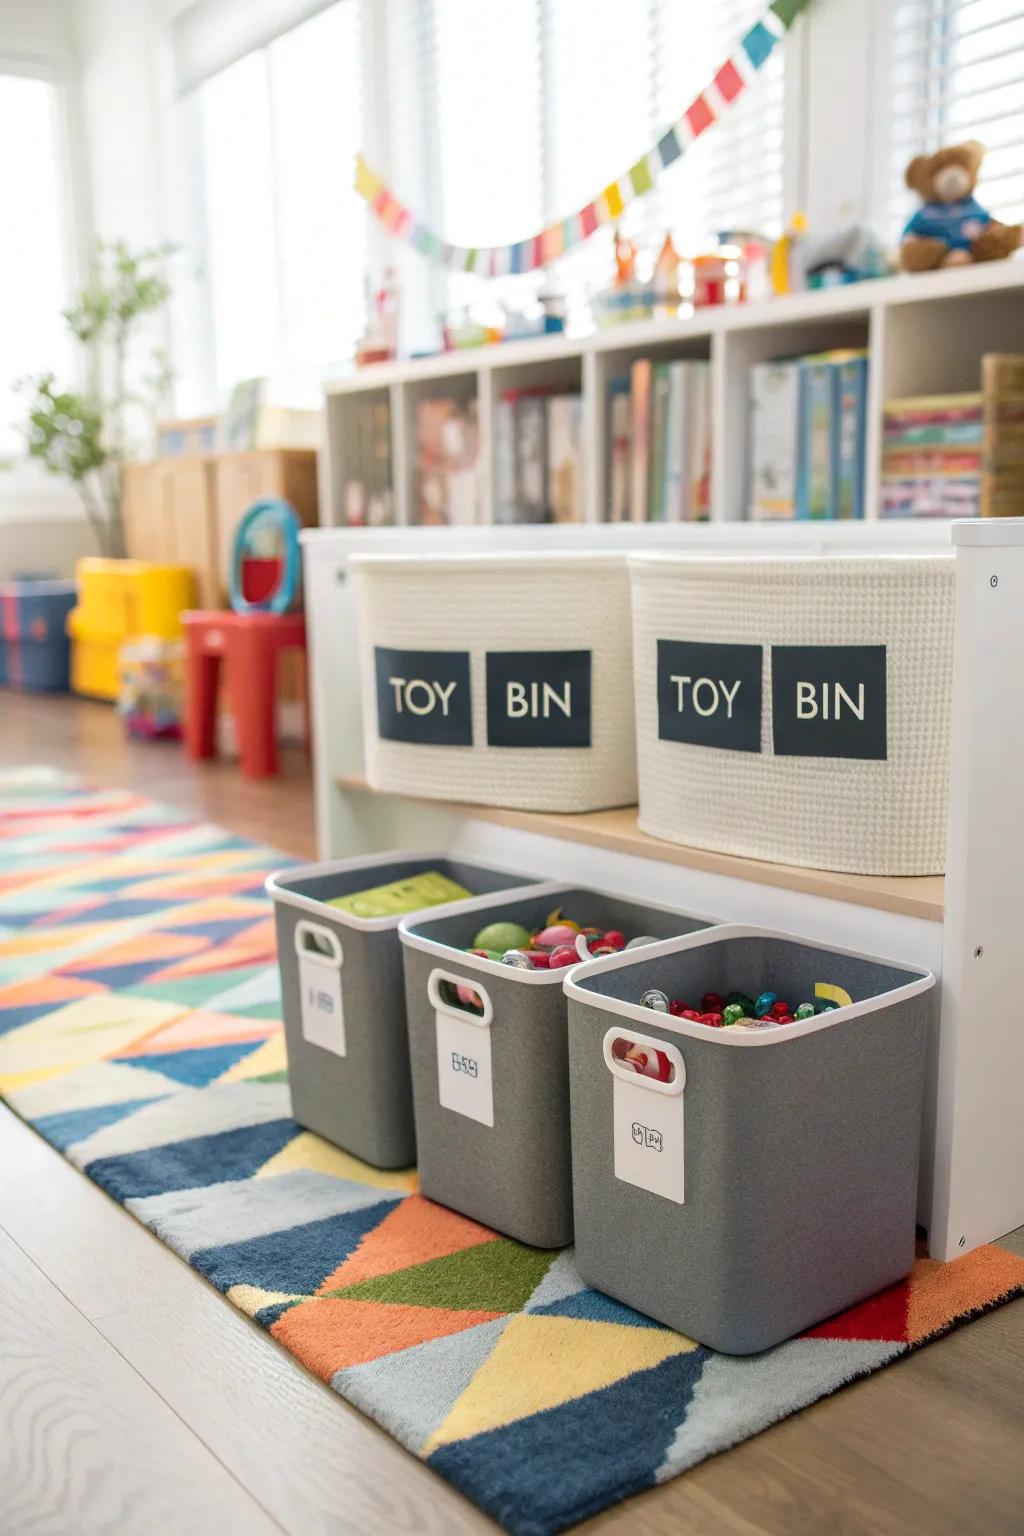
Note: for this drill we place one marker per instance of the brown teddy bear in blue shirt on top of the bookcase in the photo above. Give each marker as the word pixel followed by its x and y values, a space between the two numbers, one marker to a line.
pixel 951 228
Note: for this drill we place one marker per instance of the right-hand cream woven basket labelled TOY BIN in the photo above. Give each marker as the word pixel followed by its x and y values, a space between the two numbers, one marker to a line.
pixel 850 764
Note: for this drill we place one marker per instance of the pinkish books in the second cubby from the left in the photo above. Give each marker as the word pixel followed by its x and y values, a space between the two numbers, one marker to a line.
pixel 448 463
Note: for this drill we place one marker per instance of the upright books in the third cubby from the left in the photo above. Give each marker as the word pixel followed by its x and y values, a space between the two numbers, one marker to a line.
pixel 538 457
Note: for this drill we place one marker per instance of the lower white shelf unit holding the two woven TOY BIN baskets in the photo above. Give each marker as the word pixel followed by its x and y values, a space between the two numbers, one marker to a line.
pixel 973 1160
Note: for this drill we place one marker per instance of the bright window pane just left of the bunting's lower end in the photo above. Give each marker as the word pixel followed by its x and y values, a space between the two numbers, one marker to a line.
pixel 285 239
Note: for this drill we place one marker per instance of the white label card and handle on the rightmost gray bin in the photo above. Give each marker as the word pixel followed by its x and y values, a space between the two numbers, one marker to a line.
pixel 649 1124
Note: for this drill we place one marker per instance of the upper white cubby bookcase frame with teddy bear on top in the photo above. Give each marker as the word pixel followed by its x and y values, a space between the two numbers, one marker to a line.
pixel 925 334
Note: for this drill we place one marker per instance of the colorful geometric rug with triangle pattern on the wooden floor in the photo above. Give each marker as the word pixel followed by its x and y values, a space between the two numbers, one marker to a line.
pixel 139 1034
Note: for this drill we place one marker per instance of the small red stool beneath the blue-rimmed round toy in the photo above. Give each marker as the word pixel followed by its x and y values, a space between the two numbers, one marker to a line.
pixel 249 644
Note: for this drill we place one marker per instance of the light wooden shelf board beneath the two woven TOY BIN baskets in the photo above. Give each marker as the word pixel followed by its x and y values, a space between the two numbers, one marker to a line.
pixel 618 832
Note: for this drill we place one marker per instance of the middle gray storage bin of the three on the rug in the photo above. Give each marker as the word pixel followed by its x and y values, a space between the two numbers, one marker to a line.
pixel 494 1133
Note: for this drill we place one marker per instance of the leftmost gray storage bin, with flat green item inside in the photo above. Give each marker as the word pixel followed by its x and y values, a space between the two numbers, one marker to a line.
pixel 349 1058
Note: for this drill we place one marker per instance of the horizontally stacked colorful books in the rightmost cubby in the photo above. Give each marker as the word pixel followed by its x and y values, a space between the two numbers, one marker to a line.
pixel 931 457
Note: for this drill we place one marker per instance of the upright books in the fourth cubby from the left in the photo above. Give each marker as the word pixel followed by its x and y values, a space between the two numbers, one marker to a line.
pixel 659 462
